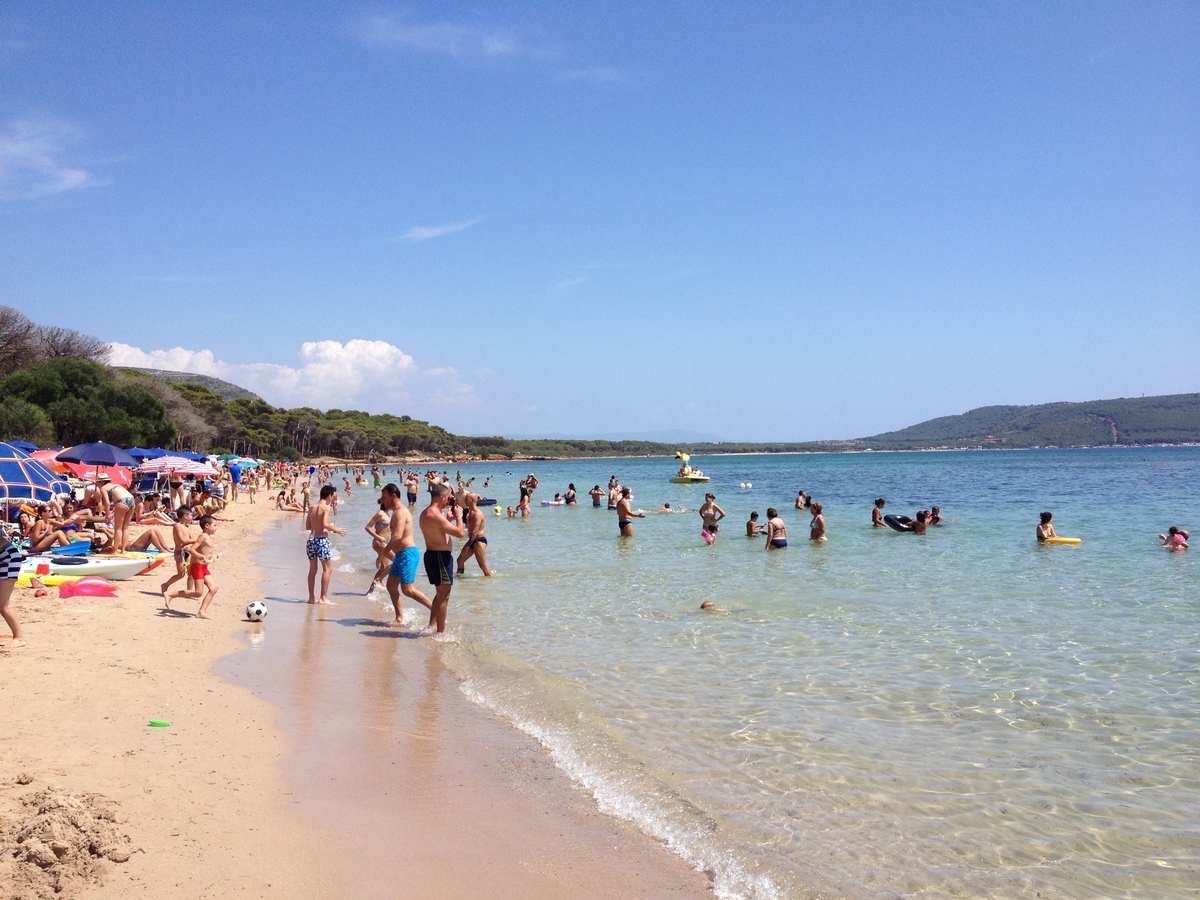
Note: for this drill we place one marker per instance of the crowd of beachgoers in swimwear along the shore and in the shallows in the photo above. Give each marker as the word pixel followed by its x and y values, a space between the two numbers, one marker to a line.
pixel 183 521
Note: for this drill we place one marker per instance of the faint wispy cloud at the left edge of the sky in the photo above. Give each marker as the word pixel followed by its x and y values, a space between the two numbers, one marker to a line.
pixel 34 160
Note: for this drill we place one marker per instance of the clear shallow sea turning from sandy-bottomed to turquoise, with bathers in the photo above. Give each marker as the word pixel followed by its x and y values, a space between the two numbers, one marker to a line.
pixel 959 715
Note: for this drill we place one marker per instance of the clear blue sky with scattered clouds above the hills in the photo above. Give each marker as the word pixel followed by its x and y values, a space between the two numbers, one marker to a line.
pixel 758 221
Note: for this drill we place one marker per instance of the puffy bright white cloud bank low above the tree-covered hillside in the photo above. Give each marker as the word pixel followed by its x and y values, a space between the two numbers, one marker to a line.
pixel 374 376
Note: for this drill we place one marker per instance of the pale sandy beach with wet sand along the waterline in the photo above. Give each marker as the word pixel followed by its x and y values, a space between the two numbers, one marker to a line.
pixel 229 802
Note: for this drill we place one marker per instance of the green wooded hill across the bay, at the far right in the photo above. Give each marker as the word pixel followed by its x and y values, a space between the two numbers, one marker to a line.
pixel 1172 419
